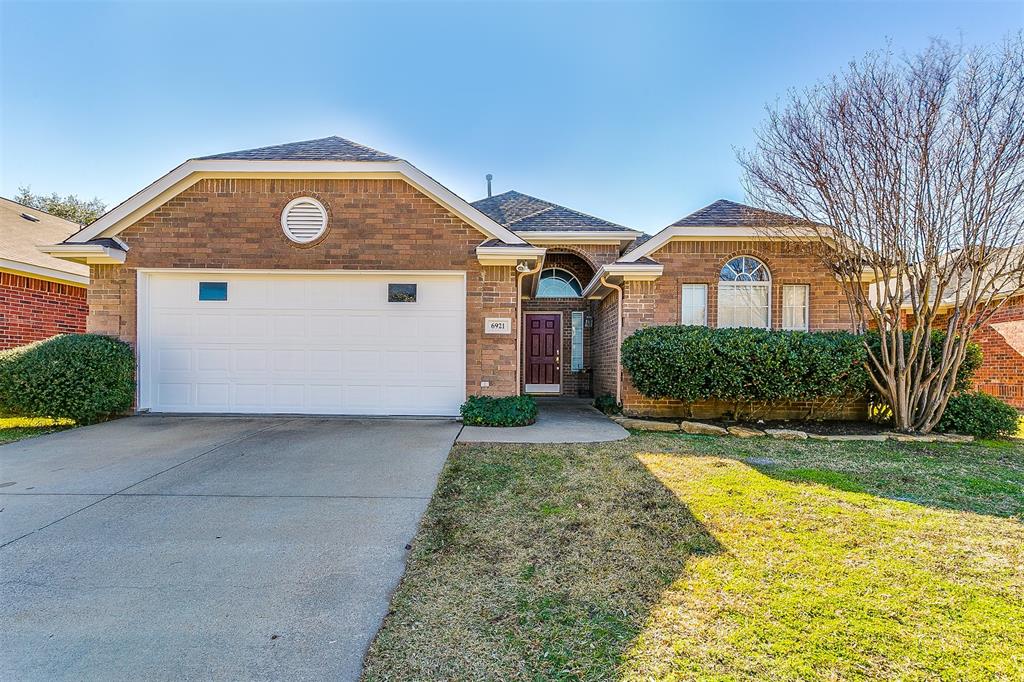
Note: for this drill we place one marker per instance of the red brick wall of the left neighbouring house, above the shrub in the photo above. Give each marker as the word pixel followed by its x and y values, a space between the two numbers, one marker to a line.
pixel 33 310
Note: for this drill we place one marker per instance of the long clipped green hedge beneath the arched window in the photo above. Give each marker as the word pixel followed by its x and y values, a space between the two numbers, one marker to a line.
pixel 744 365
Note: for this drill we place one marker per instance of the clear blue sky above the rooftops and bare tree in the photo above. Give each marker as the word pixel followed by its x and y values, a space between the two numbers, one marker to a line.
pixel 631 112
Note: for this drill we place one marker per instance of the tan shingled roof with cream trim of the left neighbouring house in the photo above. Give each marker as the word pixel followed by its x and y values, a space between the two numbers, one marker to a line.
pixel 23 230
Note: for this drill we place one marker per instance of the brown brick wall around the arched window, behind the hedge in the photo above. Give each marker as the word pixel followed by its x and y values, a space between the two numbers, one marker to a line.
pixel 654 304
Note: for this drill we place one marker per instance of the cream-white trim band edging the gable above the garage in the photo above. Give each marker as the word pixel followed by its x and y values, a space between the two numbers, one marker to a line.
pixel 191 173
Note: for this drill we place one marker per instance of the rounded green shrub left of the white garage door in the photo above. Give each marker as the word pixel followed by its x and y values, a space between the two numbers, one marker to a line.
pixel 83 377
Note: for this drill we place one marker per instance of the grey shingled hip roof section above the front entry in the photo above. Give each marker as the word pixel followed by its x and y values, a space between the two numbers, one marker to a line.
pixel 523 214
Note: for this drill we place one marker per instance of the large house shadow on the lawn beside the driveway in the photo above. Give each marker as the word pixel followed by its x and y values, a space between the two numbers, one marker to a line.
pixel 553 560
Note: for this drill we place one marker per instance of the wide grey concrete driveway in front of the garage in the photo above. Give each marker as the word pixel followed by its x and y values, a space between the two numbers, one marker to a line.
pixel 208 548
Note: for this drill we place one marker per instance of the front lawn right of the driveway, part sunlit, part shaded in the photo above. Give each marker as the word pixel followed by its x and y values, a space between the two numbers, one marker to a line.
pixel 680 558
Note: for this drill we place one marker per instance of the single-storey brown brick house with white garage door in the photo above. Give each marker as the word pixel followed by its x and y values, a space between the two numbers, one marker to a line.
pixel 325 277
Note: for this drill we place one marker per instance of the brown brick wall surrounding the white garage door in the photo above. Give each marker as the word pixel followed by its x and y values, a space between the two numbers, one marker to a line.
pixel 374 225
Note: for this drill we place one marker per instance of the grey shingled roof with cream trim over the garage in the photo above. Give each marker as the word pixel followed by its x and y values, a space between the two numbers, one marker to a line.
pixel 327 157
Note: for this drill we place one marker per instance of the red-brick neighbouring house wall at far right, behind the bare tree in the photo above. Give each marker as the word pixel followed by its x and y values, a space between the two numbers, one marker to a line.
pixel 1002 342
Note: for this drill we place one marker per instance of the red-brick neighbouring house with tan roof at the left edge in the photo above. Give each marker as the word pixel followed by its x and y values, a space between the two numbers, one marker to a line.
pixel 40 295
